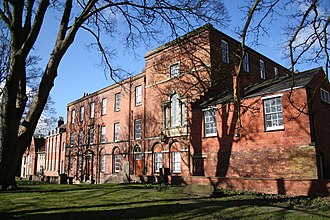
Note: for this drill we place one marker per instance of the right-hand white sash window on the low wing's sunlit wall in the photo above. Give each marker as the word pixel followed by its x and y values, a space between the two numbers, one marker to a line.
pixel 273 113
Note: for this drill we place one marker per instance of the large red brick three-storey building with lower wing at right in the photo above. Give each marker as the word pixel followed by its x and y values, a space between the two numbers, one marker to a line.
pixel 176 121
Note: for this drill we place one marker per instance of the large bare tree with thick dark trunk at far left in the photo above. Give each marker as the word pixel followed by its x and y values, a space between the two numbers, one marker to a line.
pixel 144 20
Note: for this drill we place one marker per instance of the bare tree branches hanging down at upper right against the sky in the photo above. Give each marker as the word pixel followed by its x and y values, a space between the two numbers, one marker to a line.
pixel 306 34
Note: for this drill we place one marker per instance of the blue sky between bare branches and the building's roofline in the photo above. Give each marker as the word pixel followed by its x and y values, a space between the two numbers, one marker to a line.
pixel 78 72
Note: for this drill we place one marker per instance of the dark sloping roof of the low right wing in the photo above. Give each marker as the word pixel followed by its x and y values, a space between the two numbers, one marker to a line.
pixel 299 80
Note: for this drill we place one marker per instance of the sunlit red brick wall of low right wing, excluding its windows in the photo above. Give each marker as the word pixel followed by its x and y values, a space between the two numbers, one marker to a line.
pixel 256 153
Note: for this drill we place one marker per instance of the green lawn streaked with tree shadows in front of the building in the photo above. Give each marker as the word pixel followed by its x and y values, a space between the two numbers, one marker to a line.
pixel 109 201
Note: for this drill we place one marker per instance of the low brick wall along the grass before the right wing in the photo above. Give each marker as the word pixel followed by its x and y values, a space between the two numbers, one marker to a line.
pixel 292 187
